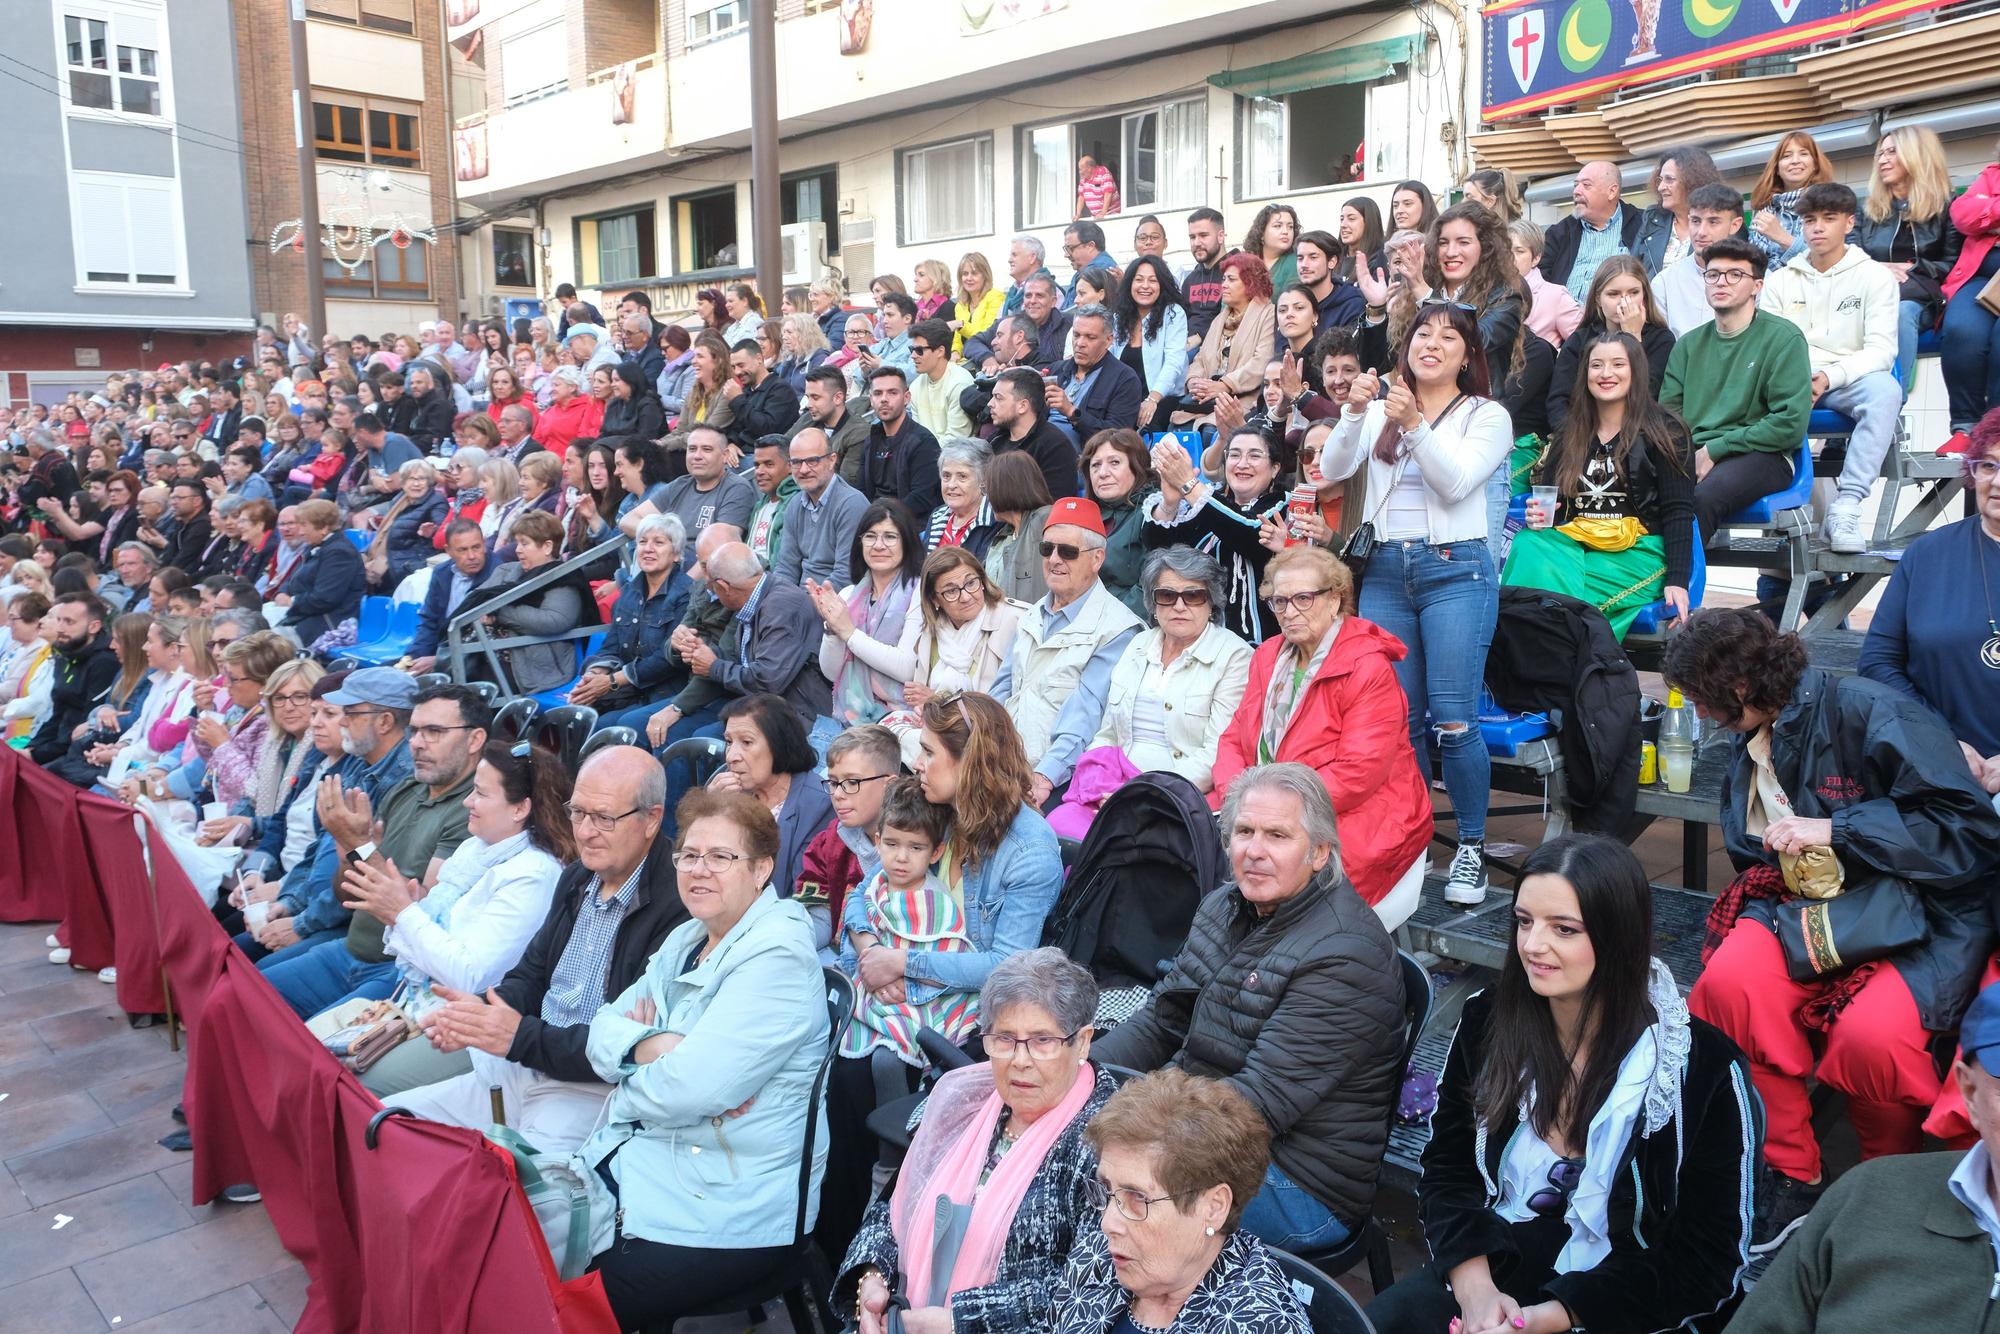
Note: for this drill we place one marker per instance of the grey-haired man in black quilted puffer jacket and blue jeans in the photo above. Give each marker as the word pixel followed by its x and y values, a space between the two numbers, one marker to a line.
pixel 1289 991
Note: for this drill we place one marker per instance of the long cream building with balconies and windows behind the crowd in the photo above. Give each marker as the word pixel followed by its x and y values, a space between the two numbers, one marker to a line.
pixel 931 133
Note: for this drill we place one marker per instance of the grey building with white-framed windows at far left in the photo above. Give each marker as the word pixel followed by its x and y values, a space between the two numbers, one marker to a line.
pixel 125 171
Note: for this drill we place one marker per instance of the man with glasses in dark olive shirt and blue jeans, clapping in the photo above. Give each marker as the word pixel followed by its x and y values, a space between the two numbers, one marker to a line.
pixel 409 833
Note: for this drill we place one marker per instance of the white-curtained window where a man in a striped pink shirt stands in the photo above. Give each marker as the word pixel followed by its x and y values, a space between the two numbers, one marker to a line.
pixel 1155 155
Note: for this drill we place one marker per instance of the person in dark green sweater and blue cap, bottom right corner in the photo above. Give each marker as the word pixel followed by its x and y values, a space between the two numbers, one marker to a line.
pixel 1903 1243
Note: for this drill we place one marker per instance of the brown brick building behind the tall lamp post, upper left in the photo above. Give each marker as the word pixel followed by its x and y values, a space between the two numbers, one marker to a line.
pixel 383 149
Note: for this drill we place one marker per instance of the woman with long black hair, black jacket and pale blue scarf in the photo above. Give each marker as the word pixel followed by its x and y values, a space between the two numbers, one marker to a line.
pixel 1595 1149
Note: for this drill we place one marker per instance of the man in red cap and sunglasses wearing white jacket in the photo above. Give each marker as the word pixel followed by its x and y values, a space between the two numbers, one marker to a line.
pixel 1061 667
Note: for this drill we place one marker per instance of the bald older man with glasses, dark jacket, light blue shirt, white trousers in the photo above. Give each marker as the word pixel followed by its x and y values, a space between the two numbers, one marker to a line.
pixel 613 907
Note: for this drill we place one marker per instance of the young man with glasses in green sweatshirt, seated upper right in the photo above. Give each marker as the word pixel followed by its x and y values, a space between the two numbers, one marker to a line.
pixel 1743 385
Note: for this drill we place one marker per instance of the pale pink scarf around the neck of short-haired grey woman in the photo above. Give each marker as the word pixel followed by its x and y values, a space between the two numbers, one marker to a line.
pixel 947 1159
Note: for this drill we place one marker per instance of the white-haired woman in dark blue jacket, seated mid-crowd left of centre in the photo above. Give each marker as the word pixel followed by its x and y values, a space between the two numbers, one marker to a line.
pixel 633 673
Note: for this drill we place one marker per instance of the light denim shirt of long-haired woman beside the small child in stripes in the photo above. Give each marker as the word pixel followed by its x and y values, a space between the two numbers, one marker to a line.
pixel 1009 899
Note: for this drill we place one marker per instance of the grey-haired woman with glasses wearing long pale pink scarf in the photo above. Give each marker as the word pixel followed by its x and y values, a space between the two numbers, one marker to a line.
pixel 997 1185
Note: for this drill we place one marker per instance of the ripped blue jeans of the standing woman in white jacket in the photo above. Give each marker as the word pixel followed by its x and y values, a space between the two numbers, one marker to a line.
pixel 1441 603
